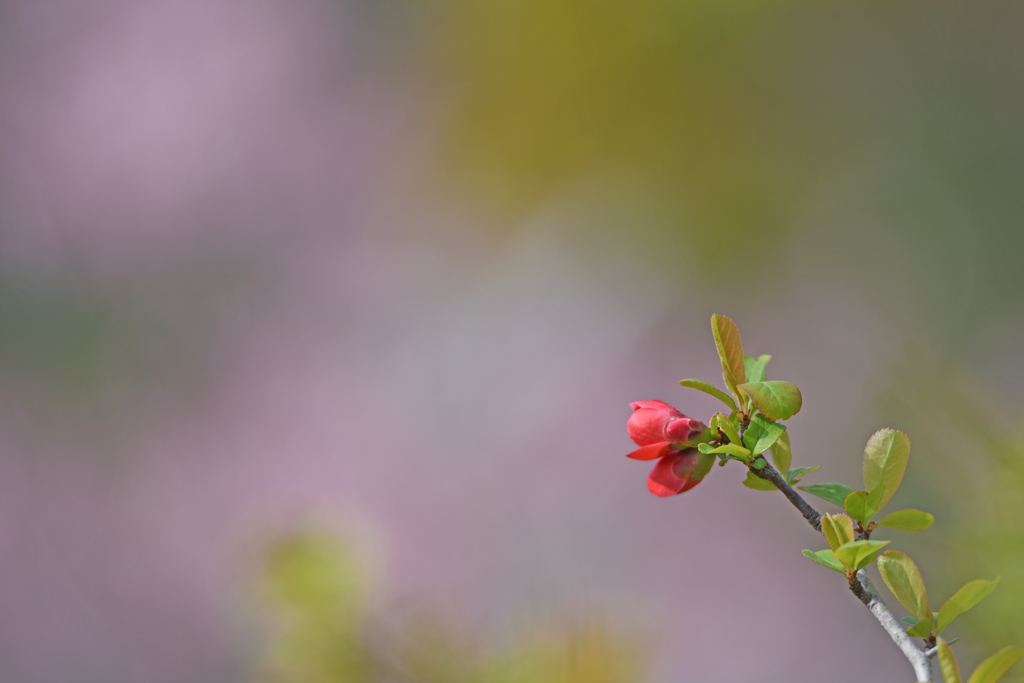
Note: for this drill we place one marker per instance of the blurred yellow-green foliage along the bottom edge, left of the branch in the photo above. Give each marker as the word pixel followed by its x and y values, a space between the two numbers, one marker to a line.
pixel 324 631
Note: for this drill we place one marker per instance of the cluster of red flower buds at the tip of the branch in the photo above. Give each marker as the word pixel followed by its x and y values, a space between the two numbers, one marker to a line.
pixel 666 435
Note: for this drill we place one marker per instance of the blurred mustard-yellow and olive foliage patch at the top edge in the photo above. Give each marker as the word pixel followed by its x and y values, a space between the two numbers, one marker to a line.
pixel 667 92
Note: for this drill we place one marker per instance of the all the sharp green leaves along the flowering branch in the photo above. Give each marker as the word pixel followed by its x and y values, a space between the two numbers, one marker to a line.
pixel 753 428
